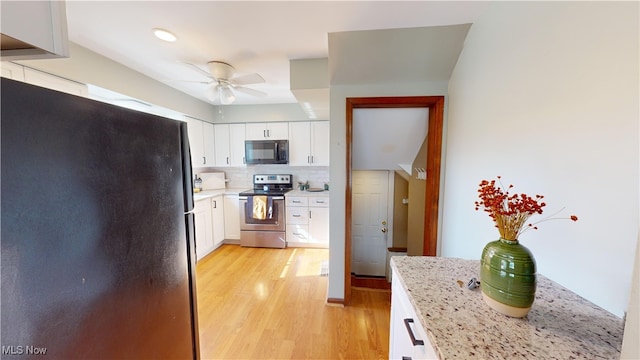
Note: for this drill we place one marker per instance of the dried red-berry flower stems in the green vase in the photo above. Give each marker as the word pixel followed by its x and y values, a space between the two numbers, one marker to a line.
pixel 510 212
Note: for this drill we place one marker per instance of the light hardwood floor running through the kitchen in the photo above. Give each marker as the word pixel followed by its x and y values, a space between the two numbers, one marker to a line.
pixel 256 303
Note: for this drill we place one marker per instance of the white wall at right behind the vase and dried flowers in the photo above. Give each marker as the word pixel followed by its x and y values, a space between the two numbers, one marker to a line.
pixel 546 95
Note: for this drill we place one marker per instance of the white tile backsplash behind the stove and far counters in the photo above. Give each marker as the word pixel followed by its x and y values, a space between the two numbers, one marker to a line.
pixel 242 177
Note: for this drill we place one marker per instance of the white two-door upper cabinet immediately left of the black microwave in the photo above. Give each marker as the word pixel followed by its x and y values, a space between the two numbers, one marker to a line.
pixel 229 144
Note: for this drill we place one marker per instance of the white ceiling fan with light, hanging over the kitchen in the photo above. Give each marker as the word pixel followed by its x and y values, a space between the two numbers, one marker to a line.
pixel 224 82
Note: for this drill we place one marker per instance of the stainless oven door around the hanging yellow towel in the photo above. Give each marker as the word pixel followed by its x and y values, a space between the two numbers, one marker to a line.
pixel 274 223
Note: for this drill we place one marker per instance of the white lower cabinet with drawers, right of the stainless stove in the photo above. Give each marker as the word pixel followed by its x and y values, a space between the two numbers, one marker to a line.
pixel 307 221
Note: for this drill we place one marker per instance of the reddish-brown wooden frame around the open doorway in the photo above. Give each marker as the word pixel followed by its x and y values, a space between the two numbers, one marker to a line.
pixel 435 104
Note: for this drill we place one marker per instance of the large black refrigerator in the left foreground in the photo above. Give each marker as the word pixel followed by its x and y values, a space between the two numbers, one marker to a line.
pixel 97 239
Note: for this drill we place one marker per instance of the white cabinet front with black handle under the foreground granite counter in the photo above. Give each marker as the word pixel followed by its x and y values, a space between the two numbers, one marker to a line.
pixel 407 338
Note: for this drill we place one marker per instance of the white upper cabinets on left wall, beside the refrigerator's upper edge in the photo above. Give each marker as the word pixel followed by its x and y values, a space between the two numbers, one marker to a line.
pixel 201 141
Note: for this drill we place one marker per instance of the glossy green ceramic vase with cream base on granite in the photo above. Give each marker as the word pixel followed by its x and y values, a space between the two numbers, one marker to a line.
pixel 508 277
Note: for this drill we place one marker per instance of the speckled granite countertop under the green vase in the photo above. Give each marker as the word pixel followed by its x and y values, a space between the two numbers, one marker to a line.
pixel 560 325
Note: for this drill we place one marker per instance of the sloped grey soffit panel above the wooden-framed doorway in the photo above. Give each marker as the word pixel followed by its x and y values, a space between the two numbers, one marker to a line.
pixel 425 54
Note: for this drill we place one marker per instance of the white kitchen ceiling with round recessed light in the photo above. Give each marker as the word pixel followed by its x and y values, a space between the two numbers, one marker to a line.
pixel 256 36
